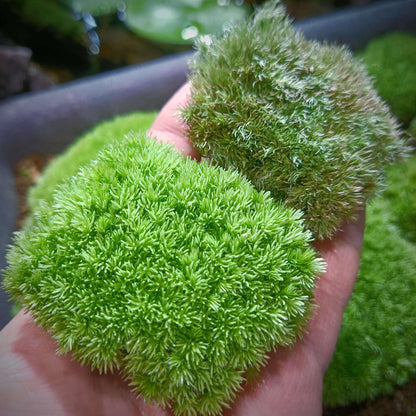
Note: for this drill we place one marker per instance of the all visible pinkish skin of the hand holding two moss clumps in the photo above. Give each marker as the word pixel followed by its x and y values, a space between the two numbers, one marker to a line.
pixel 36 381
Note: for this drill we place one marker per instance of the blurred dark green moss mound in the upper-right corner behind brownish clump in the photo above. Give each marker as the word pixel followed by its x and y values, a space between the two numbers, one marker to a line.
pixel 391 60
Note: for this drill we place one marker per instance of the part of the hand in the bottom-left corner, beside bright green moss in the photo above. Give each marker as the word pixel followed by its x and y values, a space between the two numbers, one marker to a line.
pixel 33 376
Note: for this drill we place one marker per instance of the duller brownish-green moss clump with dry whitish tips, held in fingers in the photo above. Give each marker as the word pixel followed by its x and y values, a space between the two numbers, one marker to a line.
pixel 297 118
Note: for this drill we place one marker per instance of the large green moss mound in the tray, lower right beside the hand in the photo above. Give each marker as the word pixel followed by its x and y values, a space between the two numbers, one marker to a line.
pixel 376 349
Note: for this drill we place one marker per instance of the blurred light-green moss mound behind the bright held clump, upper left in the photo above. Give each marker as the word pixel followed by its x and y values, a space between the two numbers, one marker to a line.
pixel 83 150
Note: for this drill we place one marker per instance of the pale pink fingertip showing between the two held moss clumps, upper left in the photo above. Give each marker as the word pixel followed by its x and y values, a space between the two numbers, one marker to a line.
pixel 168 126
